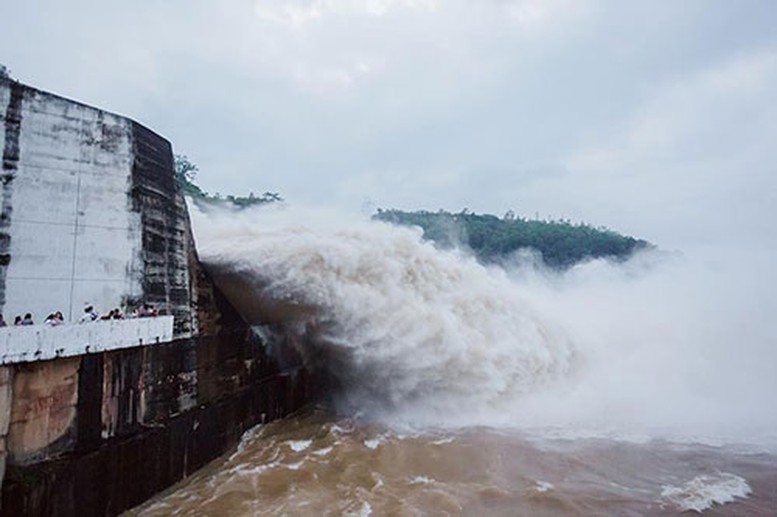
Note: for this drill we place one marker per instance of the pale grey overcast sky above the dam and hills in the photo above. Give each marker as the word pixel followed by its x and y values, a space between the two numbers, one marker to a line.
pixel 654 118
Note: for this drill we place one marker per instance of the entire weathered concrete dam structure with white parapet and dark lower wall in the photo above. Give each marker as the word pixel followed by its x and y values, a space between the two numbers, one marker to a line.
pixel 97 417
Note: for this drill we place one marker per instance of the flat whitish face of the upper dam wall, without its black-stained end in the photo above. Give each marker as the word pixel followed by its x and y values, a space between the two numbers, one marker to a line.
pixel 69 232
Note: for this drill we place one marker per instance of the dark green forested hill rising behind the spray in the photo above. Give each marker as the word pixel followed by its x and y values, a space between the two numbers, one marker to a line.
pixel 561 243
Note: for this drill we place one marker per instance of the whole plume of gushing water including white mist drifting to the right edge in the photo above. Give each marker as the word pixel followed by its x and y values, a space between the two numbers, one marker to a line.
pixel 662 346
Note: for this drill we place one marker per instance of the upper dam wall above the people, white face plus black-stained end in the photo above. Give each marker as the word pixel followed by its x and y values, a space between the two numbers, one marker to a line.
pixel 90 212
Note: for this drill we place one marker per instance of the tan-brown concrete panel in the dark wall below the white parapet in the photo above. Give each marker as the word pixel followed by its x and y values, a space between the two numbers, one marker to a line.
pixel 43 410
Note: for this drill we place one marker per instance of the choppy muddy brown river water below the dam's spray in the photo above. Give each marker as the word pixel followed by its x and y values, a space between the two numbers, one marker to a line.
pixel 313 464
